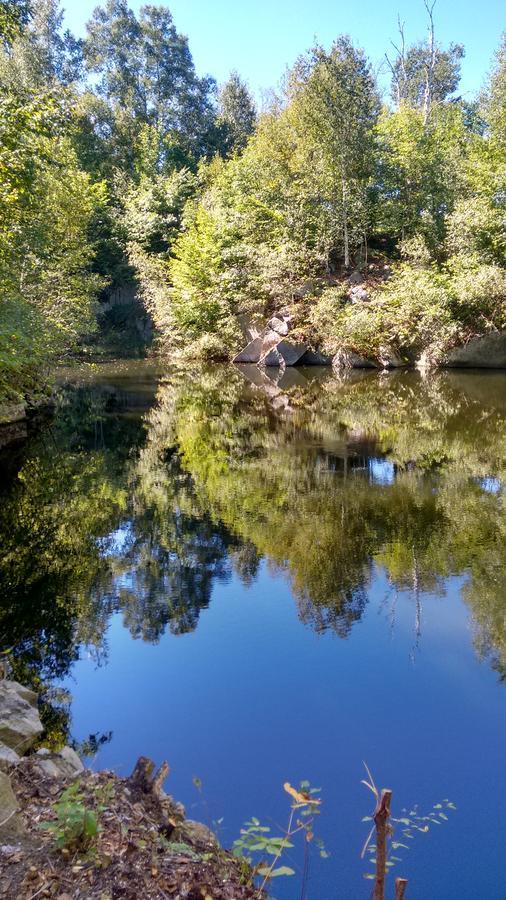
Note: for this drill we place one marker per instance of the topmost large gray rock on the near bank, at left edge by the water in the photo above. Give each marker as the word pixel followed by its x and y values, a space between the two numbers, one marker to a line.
pixel 20 725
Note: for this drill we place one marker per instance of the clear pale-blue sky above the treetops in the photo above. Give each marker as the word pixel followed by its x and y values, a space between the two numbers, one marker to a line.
pixel 261 38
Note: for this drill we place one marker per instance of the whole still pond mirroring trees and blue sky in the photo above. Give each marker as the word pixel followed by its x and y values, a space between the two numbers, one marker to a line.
pixel 267 579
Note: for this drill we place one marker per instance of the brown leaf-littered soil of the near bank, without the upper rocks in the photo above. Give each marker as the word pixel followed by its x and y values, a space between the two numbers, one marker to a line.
pixel 145 847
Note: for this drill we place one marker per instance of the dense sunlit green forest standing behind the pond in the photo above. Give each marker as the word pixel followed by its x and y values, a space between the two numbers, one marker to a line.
pixel 125 173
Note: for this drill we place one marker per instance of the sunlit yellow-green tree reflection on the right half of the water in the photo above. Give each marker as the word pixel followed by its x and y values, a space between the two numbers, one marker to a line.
pixel 291 477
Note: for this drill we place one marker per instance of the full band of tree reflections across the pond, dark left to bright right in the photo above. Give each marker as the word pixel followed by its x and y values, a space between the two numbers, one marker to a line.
pixel 134 506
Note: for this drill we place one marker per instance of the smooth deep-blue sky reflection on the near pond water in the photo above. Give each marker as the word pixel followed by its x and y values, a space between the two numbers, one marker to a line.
pixel 253 698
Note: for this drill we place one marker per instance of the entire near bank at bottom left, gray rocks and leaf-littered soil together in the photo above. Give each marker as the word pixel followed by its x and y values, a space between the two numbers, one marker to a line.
pixel 143 844
